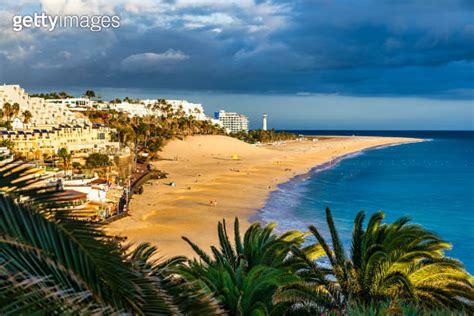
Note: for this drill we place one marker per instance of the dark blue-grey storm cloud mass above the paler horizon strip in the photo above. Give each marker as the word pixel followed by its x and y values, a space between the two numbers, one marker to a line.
pixel 347 47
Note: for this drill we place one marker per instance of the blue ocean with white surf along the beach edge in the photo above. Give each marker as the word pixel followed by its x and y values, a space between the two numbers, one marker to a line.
pixel 432 182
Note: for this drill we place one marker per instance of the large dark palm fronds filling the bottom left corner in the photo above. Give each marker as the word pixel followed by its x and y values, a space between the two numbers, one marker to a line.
pixel 53 262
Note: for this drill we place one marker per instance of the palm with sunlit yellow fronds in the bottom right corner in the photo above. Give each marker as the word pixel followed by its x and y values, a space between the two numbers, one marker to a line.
pixel 388 262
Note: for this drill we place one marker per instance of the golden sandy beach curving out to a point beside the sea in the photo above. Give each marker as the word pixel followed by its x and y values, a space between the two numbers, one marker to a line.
pixel 204 169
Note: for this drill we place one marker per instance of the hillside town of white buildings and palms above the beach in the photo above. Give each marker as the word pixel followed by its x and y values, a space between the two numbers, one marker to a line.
pixel 96 150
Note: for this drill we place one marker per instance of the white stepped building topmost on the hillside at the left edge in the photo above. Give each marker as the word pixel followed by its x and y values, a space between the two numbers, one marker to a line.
pixel 42 113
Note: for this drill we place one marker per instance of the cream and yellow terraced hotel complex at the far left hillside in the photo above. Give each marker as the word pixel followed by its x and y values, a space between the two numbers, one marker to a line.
pixel 52 126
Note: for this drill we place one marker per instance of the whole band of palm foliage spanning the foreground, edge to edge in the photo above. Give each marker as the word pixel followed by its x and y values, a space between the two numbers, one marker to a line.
pixel 52 261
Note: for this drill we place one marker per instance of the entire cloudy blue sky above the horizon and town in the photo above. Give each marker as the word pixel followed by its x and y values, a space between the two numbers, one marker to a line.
pixel 317 64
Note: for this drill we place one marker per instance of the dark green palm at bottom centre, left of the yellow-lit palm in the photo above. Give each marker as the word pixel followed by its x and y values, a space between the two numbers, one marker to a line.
pixel 244 276
